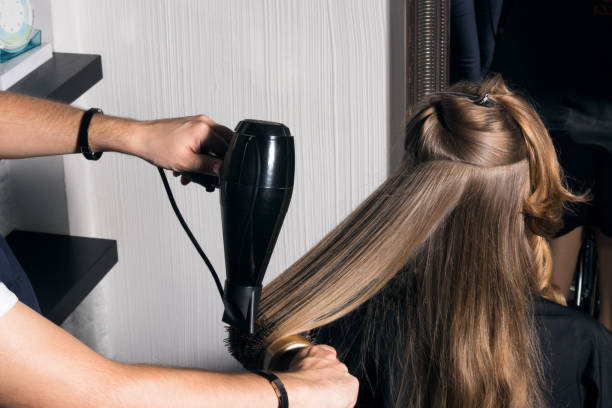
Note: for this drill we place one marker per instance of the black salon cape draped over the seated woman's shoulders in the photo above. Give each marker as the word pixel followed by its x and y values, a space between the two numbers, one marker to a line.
pixel 577 351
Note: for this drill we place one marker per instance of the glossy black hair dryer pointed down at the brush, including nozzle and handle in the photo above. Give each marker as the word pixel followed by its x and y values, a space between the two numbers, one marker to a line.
pixel 256 185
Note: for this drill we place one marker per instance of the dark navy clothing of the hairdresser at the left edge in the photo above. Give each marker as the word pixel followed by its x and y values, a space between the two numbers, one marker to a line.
pixel 14 278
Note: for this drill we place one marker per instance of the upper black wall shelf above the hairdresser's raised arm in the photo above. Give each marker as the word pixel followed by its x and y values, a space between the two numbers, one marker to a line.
pixel 63 78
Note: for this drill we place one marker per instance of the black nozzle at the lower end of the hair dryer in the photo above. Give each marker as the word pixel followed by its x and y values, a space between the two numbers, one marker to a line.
pixel 241 306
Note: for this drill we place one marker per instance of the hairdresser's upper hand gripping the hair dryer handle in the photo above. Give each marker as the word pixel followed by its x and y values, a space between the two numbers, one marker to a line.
pixel 178 144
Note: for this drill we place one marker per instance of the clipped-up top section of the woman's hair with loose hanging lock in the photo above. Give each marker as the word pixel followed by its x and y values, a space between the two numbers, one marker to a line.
pixel 454 126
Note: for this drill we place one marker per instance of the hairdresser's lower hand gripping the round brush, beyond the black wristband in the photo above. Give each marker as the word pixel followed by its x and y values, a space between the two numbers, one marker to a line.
pixel 317 379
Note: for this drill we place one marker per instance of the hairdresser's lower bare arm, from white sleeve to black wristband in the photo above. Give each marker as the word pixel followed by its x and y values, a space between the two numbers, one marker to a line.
pixel 43 366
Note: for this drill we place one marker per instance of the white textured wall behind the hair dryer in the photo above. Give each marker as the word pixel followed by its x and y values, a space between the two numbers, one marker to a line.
pixel 319 66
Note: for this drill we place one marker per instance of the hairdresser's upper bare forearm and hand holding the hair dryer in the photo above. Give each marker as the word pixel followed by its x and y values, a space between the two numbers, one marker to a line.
pixel 37 127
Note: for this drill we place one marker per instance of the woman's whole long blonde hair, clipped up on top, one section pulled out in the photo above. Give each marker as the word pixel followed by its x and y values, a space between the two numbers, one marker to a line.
pixel 458 235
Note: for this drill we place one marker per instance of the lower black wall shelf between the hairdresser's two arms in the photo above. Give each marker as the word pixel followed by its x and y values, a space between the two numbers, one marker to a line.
pixel 63 269
